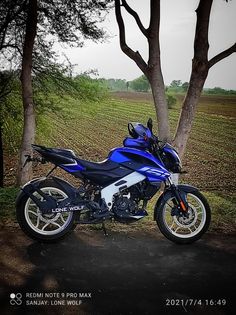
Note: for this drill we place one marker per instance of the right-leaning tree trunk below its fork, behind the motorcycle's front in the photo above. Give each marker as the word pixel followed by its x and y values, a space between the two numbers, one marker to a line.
pixel 197 80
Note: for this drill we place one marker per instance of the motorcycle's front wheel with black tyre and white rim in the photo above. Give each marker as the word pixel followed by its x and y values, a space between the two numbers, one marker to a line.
pixel 180 228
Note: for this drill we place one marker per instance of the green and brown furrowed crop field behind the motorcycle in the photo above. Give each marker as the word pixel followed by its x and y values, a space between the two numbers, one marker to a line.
pixel 92 129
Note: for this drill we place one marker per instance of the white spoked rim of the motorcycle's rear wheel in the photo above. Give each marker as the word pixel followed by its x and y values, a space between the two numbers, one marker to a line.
pixel 49 224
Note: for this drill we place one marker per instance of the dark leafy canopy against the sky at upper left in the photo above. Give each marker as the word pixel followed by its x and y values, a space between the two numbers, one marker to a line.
pixel 69 22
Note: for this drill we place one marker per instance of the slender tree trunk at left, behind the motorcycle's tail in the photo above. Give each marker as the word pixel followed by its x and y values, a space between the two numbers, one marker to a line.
pixel 25 173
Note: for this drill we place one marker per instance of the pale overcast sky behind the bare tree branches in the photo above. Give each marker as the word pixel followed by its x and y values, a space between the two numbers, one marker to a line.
pixel 178 20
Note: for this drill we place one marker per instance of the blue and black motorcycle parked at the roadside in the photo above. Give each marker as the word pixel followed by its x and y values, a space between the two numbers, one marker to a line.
pixel 117 188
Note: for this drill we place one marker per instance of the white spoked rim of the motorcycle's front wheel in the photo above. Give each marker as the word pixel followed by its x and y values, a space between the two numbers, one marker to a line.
pixel 186 228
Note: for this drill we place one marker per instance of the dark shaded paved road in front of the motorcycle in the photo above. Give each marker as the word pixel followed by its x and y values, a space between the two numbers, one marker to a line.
pixel 125 273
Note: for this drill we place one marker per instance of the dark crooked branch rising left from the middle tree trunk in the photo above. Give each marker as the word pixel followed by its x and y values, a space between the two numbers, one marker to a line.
pixel 124 47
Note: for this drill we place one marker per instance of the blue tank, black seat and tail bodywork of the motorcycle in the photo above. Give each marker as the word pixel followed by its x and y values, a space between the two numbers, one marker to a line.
pixel 120 162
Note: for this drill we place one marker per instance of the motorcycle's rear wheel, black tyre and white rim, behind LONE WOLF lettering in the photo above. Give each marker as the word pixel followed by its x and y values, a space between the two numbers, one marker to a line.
pixel 44 227
